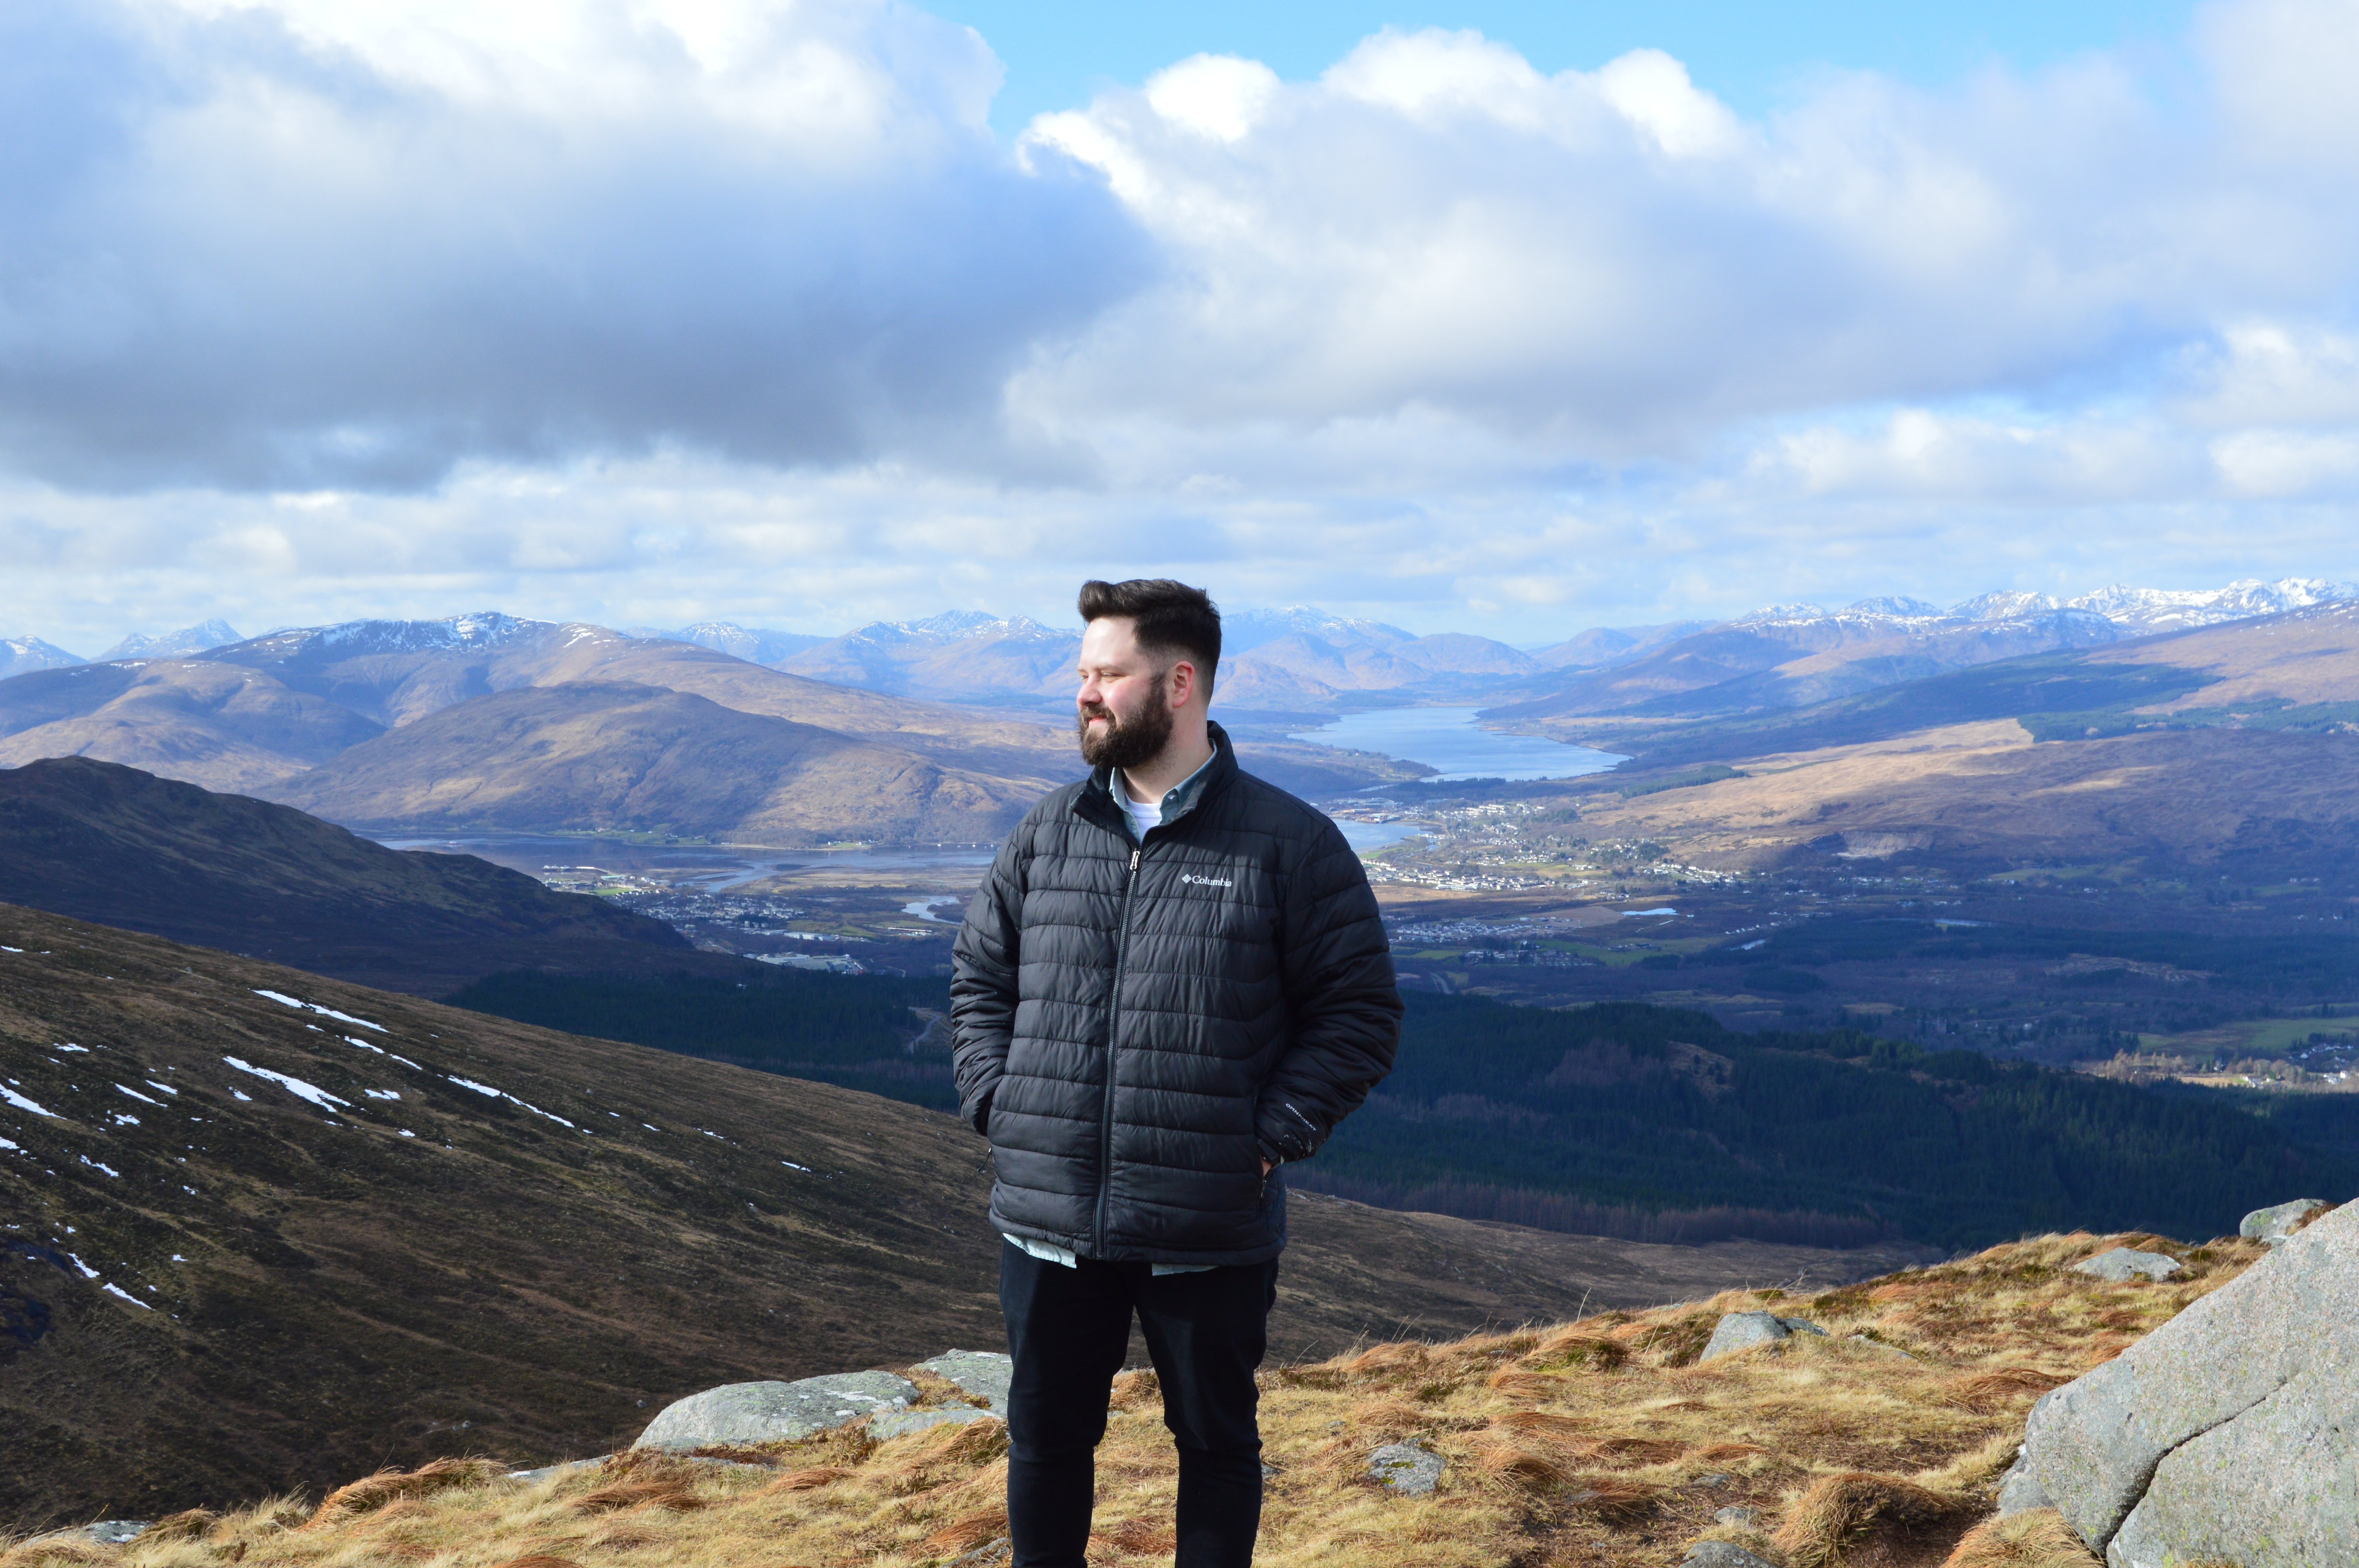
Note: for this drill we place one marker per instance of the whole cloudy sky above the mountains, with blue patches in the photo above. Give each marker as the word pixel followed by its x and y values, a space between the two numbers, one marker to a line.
pixel 1499 319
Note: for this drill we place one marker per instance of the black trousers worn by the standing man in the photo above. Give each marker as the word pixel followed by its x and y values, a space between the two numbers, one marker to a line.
pixel 1070 1331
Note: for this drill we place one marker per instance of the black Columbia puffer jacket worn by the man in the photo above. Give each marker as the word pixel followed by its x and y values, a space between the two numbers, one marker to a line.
pixel 1230 977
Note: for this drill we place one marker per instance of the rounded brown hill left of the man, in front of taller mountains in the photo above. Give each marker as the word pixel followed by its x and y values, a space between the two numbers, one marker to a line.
pixel 622 758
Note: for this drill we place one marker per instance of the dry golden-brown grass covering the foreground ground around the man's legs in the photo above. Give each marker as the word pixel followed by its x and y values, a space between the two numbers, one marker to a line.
pixel 1596 1442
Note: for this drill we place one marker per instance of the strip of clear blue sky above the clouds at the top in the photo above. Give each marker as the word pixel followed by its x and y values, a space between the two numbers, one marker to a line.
pixel 1752 55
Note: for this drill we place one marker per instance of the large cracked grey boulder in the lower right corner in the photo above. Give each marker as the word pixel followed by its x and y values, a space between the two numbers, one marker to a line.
pixel 2228 1432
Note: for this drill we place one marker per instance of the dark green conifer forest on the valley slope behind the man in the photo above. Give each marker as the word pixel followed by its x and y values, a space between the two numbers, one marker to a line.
pixel 1617 1121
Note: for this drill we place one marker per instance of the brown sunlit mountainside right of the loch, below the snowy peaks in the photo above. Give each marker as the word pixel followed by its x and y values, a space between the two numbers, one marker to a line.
pixel 2221 746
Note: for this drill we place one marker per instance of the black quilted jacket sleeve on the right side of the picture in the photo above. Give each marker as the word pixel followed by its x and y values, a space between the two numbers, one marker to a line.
pixel 1341 996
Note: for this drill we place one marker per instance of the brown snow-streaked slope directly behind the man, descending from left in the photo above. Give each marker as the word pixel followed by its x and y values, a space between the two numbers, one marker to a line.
pixel 272 1232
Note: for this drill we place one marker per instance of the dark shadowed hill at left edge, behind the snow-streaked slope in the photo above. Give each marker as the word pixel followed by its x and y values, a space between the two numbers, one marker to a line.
pixel 121 848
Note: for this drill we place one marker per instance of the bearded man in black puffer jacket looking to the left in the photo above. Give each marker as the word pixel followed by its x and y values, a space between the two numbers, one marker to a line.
pixel 1174 982
